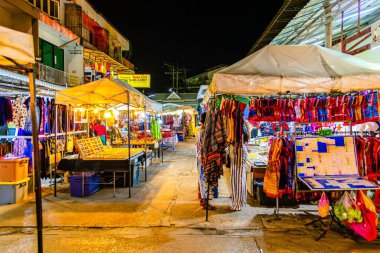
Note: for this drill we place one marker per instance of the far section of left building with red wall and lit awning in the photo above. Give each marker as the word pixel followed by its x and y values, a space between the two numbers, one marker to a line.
pixel 105 51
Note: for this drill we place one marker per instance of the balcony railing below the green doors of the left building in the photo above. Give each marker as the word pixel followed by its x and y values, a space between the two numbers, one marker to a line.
pixel 52 75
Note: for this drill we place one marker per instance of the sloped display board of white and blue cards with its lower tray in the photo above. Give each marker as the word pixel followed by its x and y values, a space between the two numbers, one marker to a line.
pixel 329 163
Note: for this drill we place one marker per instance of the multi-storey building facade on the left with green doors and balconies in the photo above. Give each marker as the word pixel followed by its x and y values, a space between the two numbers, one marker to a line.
pixel 73 43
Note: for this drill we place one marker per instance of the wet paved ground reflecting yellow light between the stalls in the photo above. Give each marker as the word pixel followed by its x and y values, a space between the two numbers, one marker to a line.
pixel 164 215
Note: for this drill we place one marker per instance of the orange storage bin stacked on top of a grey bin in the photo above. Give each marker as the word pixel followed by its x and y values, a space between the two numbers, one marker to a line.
pixel 13 170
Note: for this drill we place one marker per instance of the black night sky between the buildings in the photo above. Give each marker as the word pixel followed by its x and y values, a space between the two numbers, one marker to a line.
pixel 194 34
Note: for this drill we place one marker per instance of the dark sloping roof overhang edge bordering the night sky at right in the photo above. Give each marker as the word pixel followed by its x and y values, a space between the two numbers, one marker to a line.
pixel 285 14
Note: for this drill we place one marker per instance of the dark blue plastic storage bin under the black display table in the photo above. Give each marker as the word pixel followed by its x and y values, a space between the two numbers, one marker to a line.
pixel 91 185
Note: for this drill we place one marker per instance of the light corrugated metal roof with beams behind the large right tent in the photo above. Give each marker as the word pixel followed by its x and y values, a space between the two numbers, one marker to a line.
pixel 308 26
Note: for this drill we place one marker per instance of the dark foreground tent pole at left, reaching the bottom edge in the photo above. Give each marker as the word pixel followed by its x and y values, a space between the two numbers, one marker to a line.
pixel 37 172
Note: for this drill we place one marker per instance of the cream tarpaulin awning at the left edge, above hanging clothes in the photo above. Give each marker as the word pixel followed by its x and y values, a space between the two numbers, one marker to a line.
pixel 15 45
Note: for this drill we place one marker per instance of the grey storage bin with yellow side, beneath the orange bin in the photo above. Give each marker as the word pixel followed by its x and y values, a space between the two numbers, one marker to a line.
pixel 14 192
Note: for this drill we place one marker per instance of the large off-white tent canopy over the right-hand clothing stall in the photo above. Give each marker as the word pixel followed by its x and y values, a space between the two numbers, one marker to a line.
pixel 297 69
